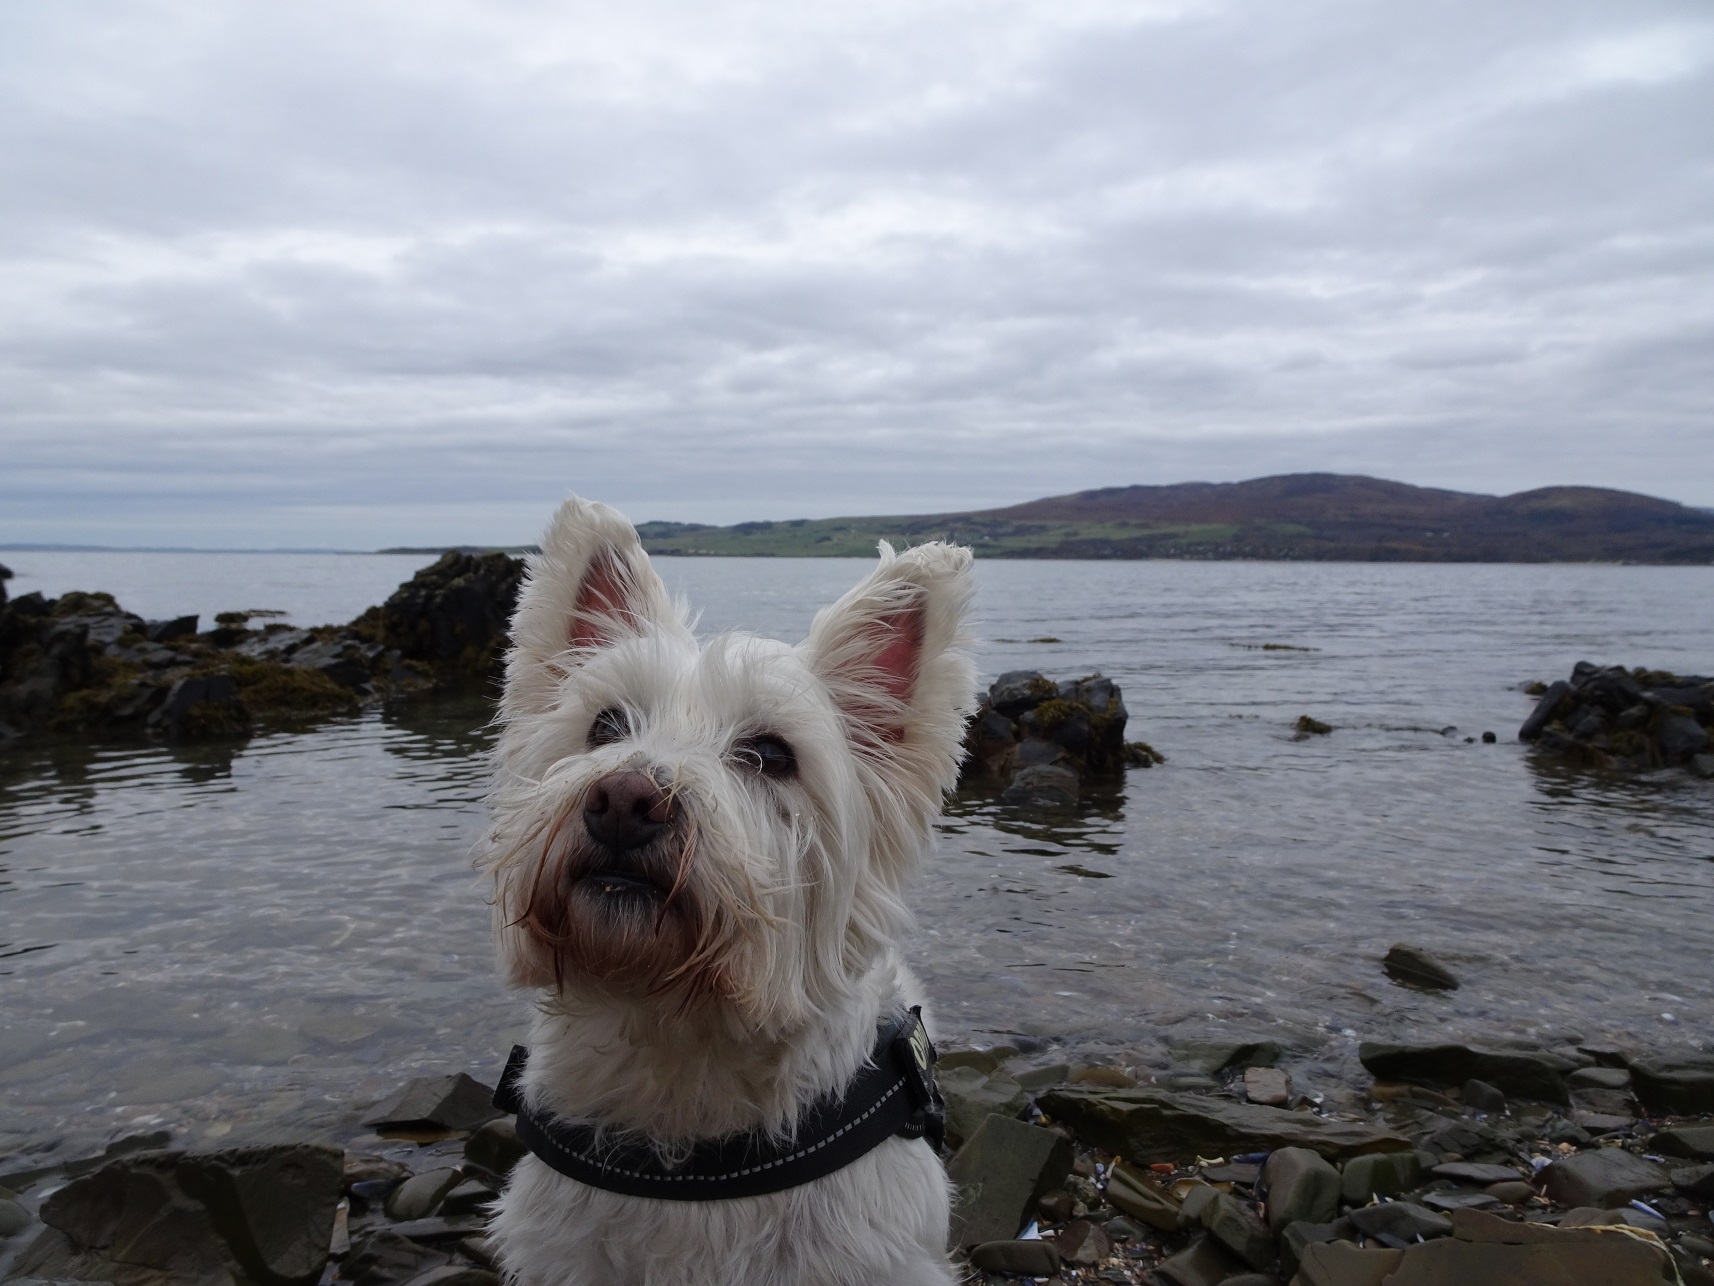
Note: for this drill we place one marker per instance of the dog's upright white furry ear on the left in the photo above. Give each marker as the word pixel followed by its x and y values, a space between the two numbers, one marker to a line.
pixel 590 587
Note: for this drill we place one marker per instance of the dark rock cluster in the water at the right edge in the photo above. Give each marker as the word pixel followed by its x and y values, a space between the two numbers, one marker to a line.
pixel 1626 719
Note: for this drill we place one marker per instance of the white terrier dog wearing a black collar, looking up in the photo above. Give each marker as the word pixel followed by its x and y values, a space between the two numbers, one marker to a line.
pixel 698 860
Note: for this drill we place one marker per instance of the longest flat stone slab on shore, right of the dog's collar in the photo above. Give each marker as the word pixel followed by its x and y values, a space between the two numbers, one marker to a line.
pixel 1151 1124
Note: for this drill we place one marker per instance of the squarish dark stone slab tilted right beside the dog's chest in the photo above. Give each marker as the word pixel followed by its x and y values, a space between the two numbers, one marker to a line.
pixel 1000 1174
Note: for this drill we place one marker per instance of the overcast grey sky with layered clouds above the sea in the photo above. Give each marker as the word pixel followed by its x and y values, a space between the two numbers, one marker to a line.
pixel 405 273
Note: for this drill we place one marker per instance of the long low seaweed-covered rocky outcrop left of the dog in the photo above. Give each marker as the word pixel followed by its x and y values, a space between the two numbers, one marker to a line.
pixel 85 664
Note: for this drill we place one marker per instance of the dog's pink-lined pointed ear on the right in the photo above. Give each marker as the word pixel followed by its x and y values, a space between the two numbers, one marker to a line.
pixel 896 659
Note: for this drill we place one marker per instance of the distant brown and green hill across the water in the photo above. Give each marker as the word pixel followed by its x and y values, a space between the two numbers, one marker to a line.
pixel 1288 517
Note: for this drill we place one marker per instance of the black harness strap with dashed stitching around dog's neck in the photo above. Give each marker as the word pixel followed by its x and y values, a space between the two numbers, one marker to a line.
pixel 892 1095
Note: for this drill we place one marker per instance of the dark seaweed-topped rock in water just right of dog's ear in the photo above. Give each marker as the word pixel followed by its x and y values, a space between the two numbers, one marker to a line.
pixel 1045 742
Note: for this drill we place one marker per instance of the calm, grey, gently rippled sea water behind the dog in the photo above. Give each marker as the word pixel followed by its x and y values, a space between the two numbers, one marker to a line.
pixel 272 935
